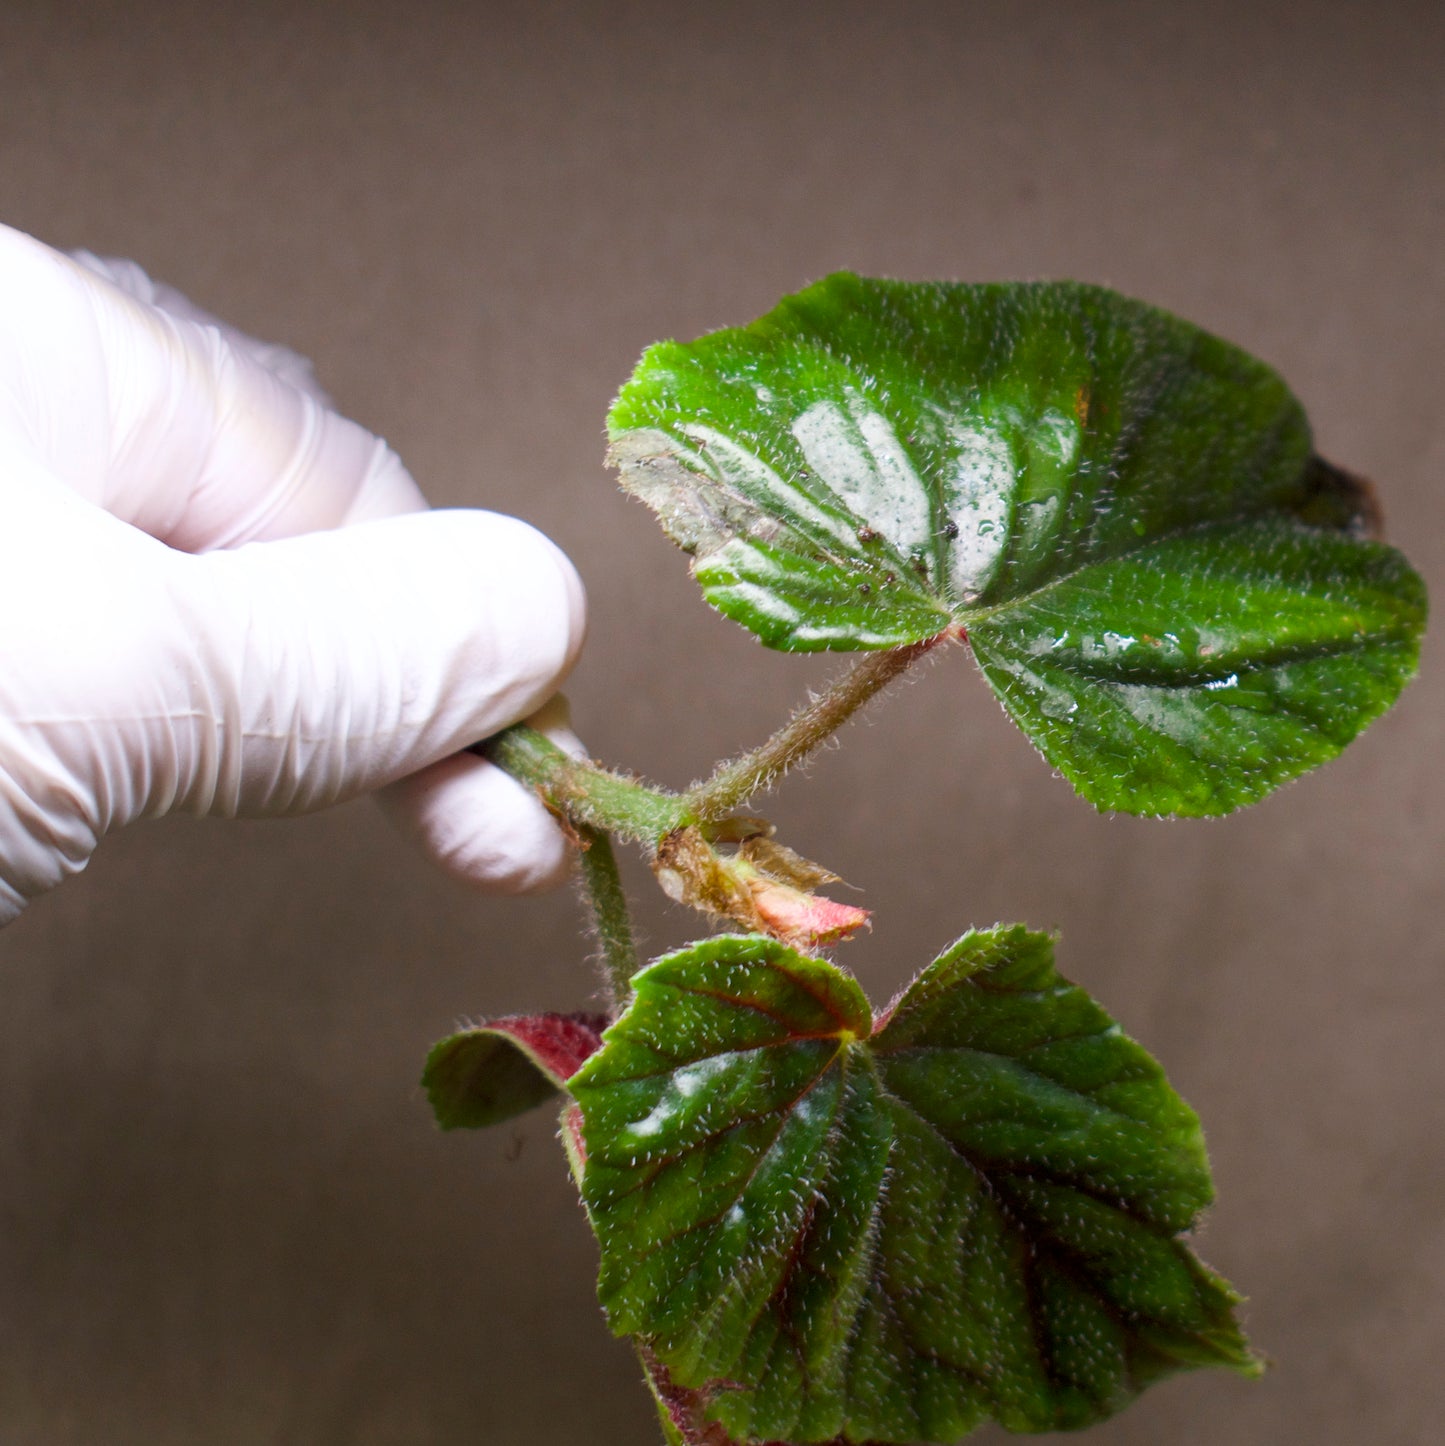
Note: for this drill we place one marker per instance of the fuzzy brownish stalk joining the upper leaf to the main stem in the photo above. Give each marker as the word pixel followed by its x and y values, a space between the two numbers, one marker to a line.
pixel 736 783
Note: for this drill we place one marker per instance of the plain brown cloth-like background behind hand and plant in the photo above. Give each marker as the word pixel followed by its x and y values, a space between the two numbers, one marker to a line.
pixel 225 1215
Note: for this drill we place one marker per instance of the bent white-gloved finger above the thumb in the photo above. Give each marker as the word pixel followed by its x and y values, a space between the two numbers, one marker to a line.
pixel 169 422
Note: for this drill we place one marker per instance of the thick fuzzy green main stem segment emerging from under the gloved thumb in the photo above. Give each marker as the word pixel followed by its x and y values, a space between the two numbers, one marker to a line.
pixel 587 793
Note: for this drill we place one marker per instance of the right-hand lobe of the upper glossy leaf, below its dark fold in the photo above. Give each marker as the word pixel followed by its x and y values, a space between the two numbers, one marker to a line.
pixel 1200 673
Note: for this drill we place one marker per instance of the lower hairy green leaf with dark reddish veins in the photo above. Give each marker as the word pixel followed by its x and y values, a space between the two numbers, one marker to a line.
pixel 844 1236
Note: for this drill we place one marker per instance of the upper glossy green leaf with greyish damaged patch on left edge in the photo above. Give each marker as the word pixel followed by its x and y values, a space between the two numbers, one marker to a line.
pixel 1122 510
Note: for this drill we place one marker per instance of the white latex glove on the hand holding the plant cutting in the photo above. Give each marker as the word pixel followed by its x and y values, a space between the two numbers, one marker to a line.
pixel 222 598
